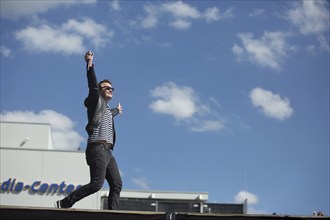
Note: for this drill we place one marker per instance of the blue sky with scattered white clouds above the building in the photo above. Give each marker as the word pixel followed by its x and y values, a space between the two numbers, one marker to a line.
pixel 225 97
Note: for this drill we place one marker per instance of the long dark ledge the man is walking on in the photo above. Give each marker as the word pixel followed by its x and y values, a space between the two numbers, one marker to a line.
pixel 32 213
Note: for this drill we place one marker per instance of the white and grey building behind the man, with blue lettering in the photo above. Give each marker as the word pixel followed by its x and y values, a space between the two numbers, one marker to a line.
pixel 34 174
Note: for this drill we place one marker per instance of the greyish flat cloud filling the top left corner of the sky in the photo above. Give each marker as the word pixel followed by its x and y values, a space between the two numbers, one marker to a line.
pixel 18 9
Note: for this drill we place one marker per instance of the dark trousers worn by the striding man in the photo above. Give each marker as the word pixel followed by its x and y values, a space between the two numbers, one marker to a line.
pixel 102 165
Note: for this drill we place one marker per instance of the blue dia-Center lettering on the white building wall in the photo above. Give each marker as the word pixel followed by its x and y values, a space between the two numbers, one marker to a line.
pixel 37 187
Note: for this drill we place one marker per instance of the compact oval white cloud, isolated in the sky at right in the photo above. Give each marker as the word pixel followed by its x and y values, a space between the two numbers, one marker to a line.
pixel 272 105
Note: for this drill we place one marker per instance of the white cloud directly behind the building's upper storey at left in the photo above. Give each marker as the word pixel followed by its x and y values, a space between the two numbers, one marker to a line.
pixel 63 134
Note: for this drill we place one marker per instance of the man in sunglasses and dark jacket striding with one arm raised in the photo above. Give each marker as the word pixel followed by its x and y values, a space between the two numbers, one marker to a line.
pixel 101 141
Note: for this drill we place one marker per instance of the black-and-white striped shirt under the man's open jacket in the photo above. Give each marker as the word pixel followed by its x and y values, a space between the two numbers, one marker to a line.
pixel 104 132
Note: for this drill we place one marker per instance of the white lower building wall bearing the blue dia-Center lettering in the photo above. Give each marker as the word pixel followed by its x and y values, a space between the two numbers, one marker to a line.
pixel 34 169
